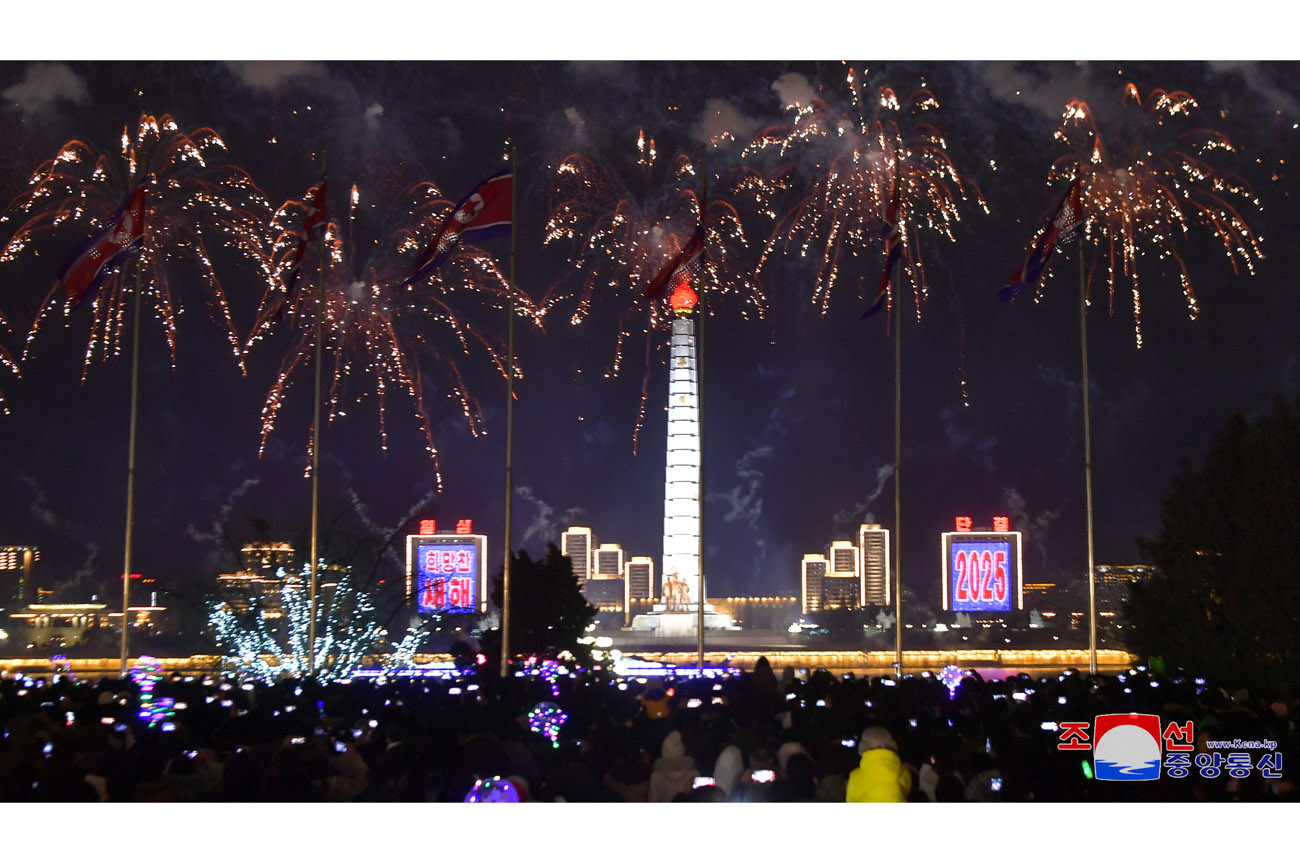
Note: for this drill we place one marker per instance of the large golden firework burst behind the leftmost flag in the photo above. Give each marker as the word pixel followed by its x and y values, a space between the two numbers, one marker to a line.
pixel 196 197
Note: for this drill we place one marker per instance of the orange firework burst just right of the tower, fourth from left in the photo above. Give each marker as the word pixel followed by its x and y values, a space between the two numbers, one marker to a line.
pixel 834 176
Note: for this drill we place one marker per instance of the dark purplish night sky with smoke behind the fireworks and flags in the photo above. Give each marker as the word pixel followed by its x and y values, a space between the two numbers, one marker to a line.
pixel 799 405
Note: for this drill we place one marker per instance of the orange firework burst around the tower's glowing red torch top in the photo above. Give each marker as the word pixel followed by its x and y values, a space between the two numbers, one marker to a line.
pixel 621 236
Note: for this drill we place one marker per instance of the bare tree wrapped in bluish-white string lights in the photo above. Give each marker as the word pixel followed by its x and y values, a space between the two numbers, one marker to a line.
pixel 254 647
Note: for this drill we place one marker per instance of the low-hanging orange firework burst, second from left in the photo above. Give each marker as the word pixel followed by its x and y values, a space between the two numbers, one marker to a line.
pixel 375 326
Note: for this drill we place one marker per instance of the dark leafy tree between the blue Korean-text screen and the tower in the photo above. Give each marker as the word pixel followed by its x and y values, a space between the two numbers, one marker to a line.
pixel 548 613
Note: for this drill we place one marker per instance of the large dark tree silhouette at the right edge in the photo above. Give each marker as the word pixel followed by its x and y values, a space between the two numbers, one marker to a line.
pixel 1227 599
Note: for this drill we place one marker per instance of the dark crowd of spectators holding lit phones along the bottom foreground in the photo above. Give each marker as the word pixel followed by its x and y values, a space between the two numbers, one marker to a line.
pixel 753 737
